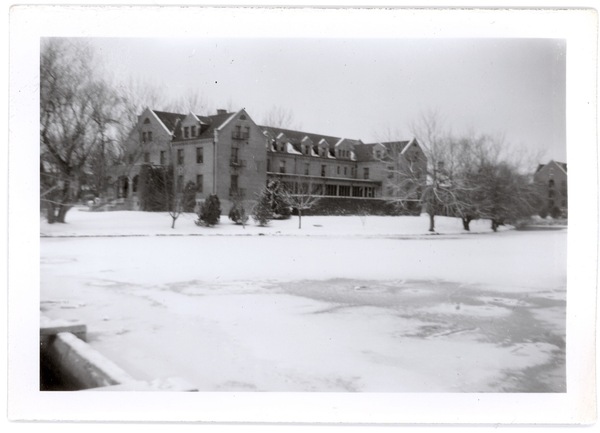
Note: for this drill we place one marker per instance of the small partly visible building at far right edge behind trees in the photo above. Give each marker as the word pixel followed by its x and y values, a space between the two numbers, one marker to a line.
pixel 551 178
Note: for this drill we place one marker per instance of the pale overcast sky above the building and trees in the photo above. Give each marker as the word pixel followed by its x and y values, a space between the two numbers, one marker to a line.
pixel 357 88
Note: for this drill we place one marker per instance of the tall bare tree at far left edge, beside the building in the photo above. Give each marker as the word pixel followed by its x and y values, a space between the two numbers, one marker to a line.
pixel 78 114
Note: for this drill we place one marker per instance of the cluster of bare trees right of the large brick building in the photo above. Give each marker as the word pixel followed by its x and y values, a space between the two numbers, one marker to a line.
pixel 470 177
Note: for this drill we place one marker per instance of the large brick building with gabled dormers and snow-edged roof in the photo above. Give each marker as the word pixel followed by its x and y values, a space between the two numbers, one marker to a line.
pixel 228 154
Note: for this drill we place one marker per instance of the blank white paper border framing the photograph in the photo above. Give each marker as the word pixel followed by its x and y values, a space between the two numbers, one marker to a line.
pixel 30 23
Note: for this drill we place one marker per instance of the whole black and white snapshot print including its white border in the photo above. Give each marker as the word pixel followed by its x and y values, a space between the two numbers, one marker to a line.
pixel 308 213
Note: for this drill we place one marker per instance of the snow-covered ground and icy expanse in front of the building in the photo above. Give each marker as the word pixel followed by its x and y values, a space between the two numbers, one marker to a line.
pixel 369 304
